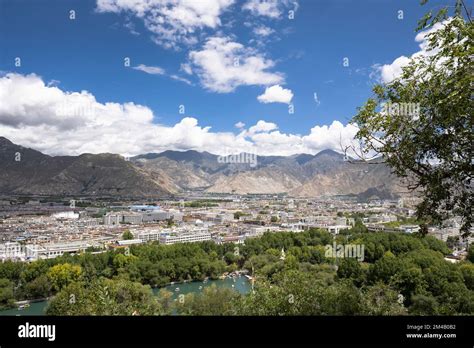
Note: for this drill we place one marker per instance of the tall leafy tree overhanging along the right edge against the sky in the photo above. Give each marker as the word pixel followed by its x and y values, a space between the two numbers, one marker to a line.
pixel 421 122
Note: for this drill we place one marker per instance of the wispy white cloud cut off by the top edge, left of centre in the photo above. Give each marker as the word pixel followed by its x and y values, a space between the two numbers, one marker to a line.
pixel 172 22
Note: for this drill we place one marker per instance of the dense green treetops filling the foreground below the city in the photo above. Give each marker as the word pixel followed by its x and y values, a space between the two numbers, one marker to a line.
pixel 400 274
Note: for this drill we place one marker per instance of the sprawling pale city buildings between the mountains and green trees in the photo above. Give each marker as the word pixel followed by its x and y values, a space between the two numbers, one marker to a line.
pixel 97 226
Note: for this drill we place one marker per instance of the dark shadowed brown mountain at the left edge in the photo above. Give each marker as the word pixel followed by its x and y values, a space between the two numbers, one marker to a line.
pixel 26 171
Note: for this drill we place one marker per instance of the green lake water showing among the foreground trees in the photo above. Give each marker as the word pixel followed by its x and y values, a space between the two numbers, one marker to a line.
pixel 241 284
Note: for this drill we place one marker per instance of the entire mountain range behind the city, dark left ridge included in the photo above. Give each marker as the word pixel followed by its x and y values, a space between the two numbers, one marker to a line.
pixel 24 171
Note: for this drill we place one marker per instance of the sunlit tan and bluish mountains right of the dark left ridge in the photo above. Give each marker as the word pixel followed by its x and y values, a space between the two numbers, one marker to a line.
pixel 304 175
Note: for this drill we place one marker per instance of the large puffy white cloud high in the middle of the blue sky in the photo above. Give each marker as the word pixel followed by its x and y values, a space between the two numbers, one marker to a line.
pixel 223 65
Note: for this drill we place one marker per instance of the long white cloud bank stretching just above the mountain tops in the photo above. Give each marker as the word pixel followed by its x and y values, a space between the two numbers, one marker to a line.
pixel 54 121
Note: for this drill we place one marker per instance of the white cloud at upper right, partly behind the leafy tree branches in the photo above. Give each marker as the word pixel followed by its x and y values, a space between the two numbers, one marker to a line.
pixel 389 72
